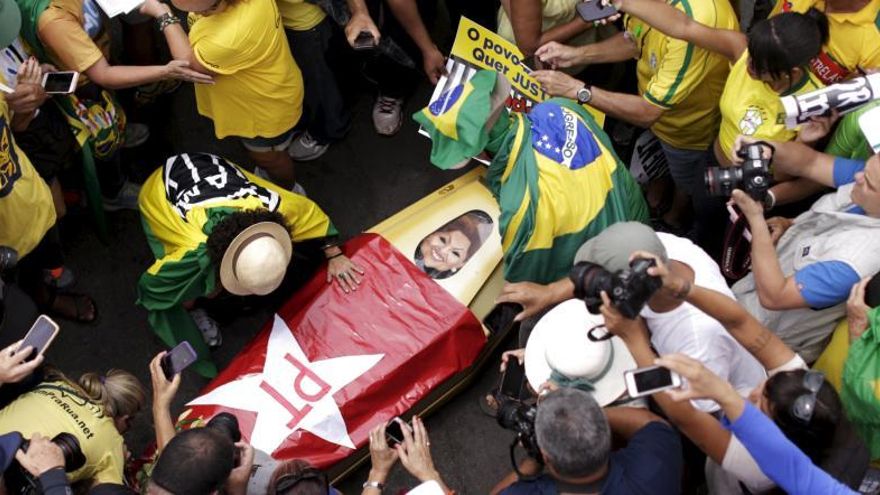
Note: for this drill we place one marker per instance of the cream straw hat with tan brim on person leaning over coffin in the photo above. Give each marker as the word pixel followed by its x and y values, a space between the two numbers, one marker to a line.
pixel 256 260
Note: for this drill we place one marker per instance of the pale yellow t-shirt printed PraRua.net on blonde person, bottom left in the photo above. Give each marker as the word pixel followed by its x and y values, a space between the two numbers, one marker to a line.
pixel 55 407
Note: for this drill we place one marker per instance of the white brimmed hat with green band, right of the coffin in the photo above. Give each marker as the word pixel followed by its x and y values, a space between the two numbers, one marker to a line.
pixel 560 342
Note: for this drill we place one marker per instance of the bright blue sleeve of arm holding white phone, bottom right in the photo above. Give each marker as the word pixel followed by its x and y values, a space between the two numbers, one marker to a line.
pixel 780 459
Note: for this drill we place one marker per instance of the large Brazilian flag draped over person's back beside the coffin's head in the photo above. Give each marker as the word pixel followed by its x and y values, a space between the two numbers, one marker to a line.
pixel 559 183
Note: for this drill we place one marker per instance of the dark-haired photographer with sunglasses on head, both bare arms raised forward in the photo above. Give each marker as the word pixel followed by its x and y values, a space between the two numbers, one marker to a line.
pixel 826 436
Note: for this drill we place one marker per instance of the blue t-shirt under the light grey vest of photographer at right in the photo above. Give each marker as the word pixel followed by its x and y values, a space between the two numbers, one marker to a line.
pixel 826 283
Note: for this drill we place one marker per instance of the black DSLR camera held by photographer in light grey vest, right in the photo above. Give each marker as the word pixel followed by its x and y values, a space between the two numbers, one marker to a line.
pixel 753 177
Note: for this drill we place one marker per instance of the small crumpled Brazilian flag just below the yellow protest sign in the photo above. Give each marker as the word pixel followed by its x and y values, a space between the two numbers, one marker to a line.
pixel 458 120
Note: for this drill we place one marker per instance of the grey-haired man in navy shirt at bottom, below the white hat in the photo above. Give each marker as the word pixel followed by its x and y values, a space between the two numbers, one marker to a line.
pixel 574 436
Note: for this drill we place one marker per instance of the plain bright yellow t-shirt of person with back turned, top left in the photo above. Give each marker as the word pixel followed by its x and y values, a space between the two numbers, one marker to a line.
pixel 258 89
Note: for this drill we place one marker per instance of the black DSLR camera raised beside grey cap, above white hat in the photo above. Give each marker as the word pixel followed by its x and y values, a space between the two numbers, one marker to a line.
pixel 629 289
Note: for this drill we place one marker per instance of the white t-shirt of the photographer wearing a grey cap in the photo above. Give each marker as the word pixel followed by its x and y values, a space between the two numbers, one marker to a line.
pixel 689 331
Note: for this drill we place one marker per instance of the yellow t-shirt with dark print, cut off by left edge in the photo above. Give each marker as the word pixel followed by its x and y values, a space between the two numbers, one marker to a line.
pixel 26 208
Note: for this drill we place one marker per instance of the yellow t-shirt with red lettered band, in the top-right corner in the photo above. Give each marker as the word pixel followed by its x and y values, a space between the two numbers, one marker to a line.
pixel 853 41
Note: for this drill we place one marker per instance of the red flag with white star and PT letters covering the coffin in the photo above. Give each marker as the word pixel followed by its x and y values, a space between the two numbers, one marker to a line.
pixel 330 366
